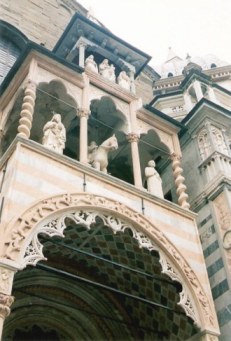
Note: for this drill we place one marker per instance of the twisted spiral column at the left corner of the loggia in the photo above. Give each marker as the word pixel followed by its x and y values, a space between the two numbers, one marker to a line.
pixel 26 114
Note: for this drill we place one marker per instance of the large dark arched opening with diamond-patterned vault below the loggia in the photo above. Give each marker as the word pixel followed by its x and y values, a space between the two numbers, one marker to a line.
pixel 97 284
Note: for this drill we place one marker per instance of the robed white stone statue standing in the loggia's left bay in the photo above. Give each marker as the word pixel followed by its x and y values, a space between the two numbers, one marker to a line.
pixel 54 134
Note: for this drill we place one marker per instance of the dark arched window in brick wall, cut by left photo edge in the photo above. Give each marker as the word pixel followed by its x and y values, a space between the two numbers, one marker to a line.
pixel 12 42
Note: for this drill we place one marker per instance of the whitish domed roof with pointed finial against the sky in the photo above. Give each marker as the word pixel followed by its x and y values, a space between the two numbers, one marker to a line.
pixel 174 65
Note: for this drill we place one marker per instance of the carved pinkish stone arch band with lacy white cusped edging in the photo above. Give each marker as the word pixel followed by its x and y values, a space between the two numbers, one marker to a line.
pixel 22 247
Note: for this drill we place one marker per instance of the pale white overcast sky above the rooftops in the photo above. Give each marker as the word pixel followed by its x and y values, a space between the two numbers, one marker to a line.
pixel 197 27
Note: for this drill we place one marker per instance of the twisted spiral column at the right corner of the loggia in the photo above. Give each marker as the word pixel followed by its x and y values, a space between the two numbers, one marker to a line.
pixel 179 181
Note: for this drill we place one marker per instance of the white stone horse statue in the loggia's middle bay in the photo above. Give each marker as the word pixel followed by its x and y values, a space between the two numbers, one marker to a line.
pixel 98 155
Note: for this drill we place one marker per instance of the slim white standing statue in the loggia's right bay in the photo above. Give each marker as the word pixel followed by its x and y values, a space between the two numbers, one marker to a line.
pixel 154 182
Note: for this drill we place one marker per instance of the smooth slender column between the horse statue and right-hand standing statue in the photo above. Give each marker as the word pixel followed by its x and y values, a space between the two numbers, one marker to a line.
pixel 133 138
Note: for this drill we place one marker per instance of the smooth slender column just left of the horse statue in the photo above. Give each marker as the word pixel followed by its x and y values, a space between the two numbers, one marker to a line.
pixel 83 115
